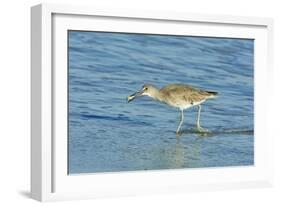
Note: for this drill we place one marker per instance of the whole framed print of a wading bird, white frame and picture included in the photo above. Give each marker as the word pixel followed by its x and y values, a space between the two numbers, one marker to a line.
pixel 138 102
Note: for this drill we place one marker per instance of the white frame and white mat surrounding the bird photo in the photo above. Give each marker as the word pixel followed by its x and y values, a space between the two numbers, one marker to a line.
pixel 49 178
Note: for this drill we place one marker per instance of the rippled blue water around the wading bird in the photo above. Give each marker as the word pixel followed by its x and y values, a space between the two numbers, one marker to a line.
pixel 108 134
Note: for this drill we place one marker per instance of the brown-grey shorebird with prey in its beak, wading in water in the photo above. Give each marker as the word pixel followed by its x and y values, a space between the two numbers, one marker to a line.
pixel 180 96
